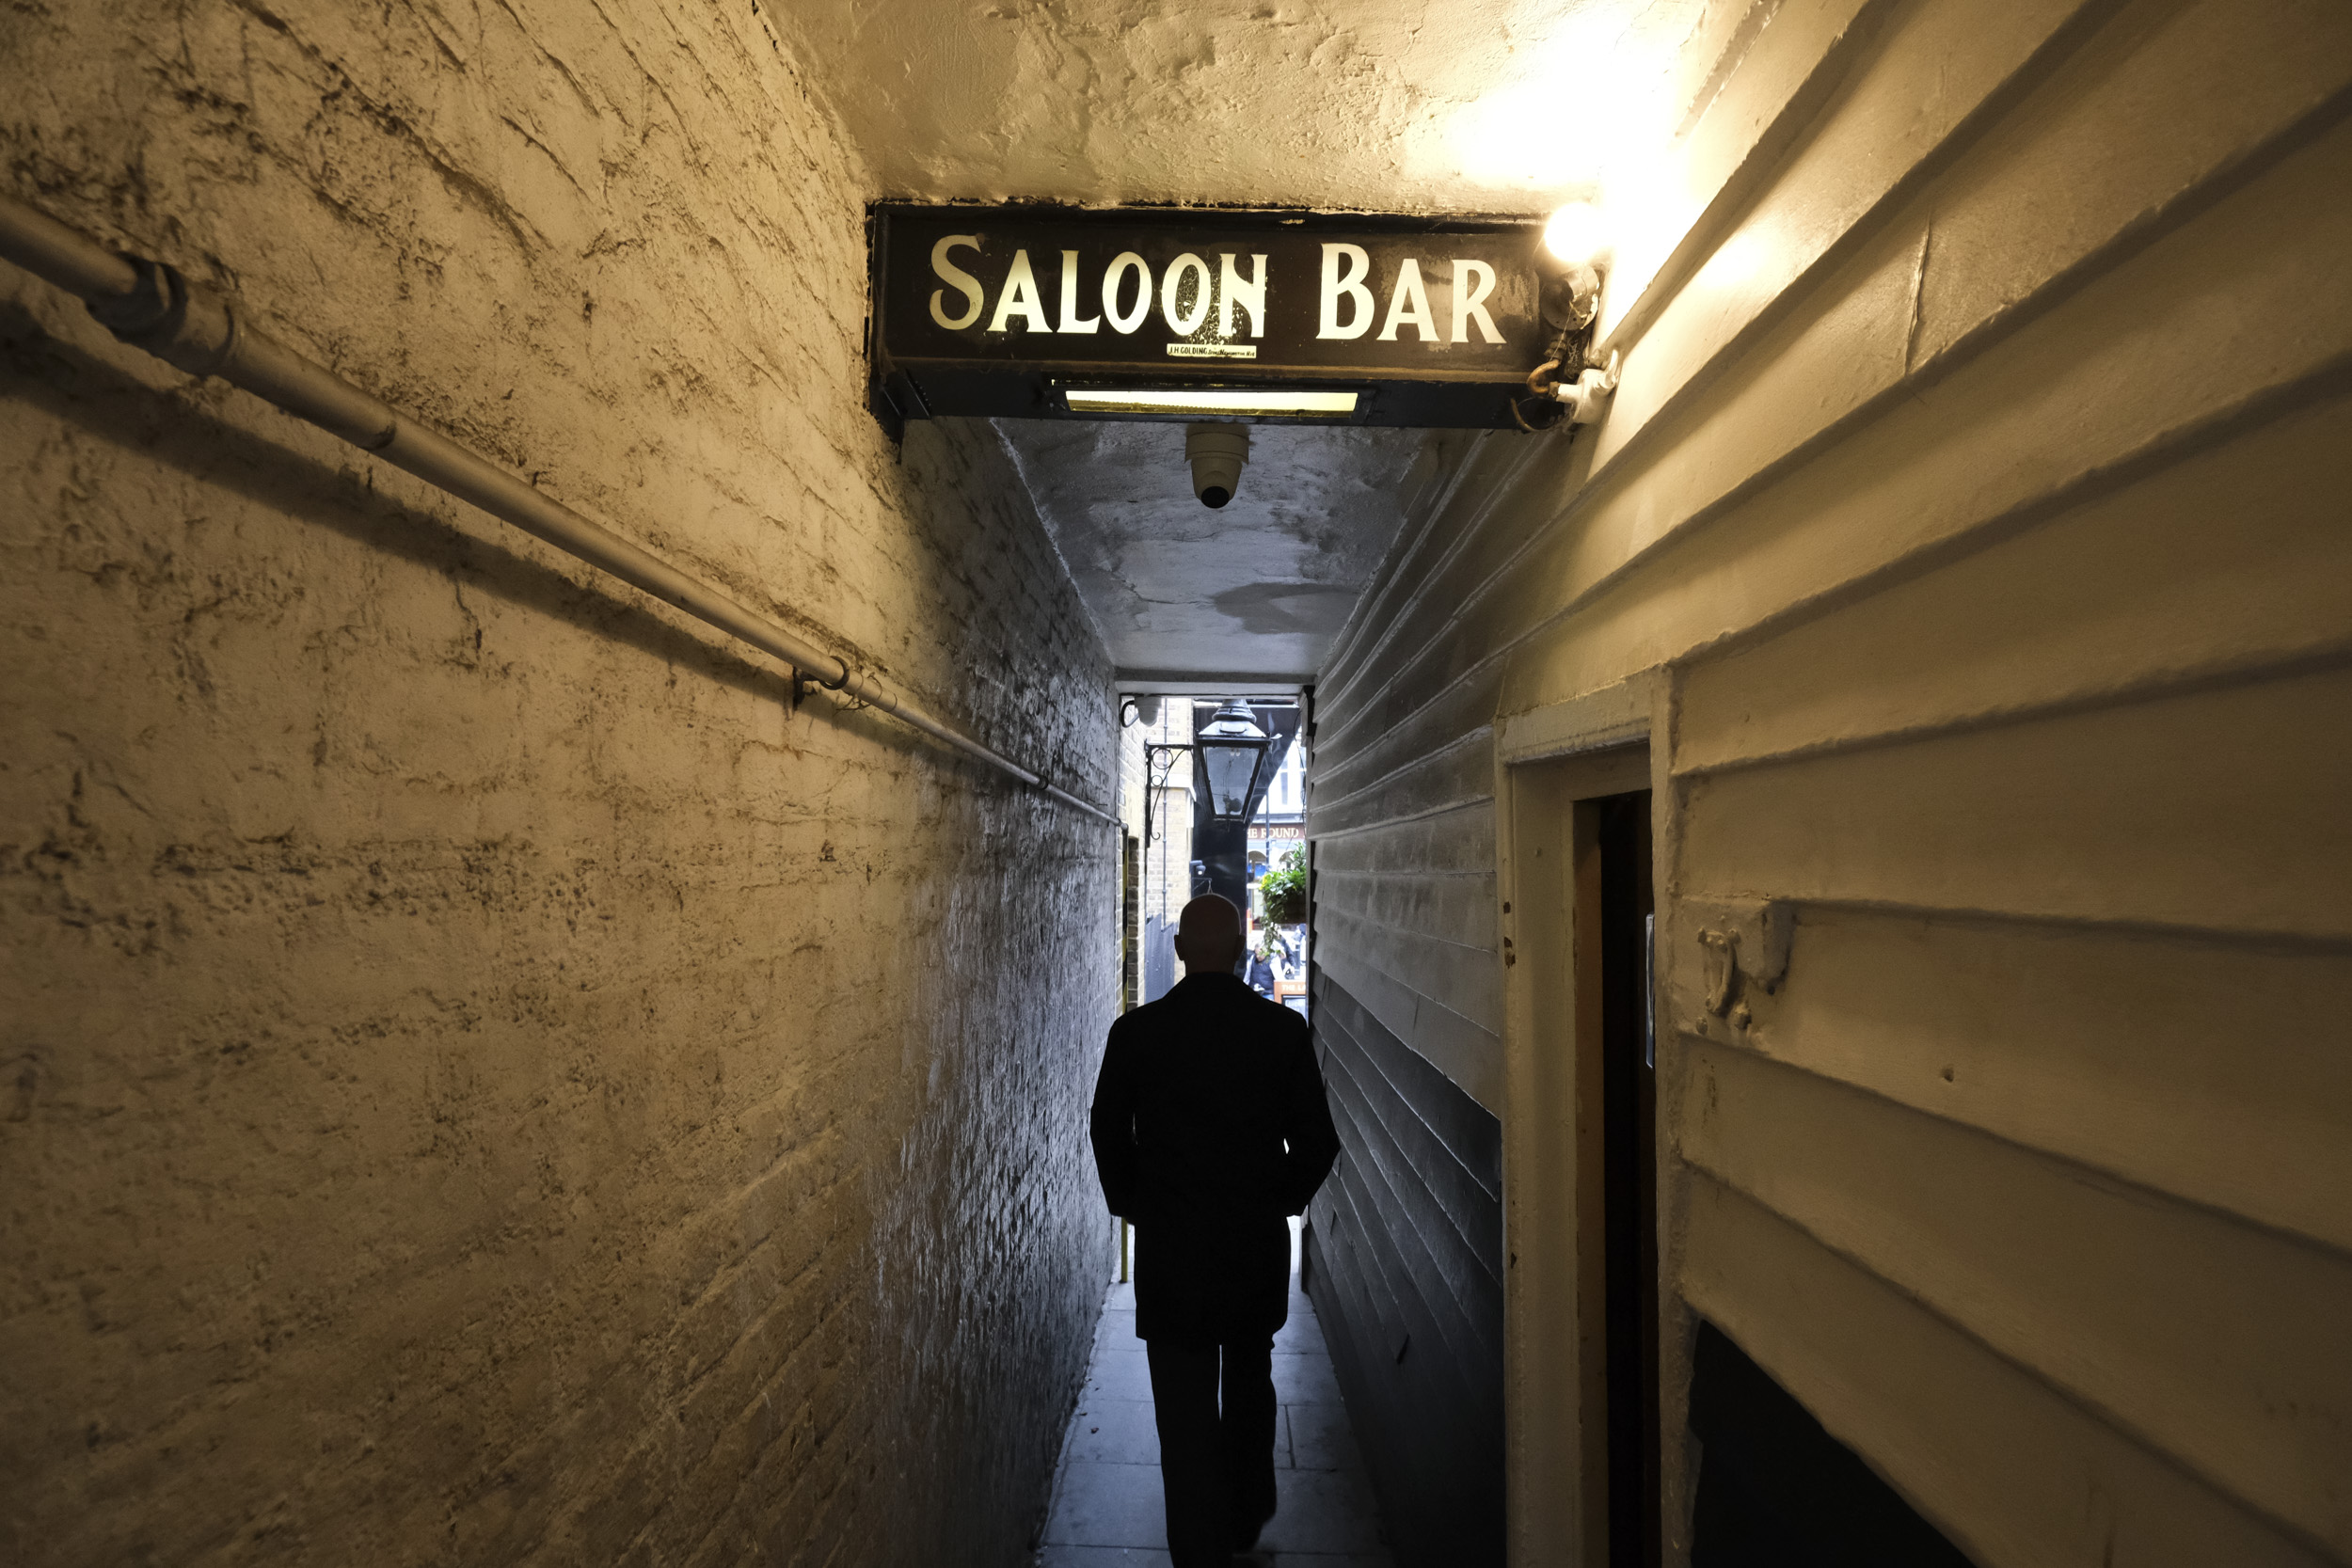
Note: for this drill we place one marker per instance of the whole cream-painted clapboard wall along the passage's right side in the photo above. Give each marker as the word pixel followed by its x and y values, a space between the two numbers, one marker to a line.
pixel 1982 483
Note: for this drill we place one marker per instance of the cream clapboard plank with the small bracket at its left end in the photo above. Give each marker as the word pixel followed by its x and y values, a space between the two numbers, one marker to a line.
pixel 2205 1068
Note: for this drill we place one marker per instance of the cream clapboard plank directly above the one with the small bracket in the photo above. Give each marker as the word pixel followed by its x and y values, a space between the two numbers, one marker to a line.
pixel 2200 810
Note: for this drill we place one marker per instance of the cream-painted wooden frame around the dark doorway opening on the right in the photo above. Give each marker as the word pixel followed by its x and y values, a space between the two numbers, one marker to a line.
pixel 1553 1395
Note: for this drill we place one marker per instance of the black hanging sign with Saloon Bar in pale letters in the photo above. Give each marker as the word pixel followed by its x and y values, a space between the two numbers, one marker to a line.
pixel 1050 314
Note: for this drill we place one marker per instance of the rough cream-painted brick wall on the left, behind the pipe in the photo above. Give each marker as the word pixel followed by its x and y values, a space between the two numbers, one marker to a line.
pixel 486 1080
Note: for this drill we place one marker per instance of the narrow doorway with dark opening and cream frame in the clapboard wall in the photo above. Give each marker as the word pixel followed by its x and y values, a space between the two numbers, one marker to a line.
pixel 1582 1299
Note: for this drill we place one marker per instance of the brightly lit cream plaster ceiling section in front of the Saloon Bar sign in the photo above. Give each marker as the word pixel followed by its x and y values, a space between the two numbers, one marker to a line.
pixel 1375 105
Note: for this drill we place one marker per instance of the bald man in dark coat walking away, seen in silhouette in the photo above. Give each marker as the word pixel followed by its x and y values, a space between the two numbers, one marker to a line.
pixel 1210 1130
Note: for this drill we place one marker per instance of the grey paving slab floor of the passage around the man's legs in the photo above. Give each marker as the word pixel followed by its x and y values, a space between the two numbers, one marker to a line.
pixel 1107 1492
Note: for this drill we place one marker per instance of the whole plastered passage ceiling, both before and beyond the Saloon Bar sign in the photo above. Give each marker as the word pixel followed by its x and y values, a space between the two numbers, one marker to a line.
pixel 1441 107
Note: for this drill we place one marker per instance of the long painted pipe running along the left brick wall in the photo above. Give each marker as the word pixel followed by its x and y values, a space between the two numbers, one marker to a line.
pixel 201 333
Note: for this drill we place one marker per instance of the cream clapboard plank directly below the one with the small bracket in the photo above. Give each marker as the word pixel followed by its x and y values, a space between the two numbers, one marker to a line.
pixel 2236 1367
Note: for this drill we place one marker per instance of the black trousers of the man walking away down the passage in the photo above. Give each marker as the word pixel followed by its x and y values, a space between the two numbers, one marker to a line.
pixel 1217 1456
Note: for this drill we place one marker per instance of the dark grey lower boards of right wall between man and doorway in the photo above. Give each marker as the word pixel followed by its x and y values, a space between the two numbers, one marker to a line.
pixel 1405 1264
